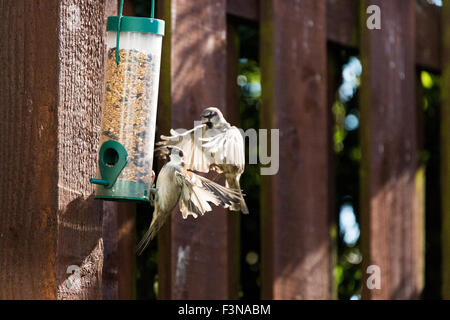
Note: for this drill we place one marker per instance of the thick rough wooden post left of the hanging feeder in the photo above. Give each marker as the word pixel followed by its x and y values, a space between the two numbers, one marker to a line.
pixel 51 92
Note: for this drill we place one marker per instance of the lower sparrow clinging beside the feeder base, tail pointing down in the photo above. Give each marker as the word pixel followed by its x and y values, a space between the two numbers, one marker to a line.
pixel 175 184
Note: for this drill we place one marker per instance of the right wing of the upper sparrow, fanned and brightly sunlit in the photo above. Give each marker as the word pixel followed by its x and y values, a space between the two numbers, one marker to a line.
pixel 227 148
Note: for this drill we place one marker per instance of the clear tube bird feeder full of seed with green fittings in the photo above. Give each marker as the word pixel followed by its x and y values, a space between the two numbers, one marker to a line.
pixel 127 136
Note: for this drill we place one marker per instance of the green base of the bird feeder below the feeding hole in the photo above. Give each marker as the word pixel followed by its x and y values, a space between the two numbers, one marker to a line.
pixel 123 191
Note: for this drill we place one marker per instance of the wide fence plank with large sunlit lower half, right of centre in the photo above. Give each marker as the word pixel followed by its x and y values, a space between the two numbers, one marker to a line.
pixel 390 226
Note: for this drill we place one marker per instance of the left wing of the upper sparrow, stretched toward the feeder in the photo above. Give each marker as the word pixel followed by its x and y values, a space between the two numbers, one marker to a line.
pixel 189 142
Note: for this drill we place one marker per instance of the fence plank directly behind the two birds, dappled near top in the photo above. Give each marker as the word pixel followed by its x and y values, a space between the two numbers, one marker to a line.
pixel 194 79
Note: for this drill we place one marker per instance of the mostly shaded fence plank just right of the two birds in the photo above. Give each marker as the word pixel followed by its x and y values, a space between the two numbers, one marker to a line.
pixel 295 204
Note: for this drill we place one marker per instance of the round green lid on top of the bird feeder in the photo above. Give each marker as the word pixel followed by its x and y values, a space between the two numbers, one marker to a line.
pixel 136 24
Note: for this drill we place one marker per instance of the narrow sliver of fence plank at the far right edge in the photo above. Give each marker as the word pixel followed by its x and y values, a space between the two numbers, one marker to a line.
pixel 445 150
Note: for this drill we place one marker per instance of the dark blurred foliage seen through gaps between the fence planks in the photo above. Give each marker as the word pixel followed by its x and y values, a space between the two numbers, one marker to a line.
pixel 346 152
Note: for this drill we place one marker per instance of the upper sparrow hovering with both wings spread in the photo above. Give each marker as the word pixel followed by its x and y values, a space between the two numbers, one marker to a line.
pixel 213 145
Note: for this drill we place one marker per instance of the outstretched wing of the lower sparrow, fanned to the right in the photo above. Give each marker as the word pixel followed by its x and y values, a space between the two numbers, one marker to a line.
pixel 197 192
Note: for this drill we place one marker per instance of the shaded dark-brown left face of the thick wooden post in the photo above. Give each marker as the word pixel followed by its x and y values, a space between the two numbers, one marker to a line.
pixel 28 135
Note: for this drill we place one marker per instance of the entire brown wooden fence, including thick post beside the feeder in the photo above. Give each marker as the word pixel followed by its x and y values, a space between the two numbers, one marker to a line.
pixel 51 63
